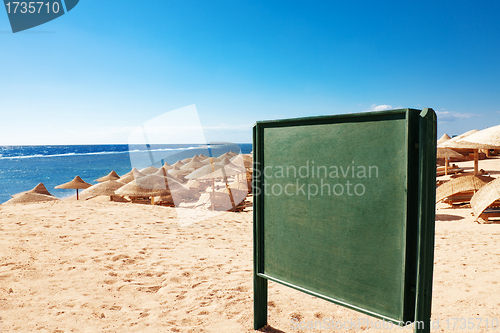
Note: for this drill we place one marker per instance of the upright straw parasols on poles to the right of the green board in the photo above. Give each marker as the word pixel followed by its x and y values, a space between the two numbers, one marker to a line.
pixel 488 138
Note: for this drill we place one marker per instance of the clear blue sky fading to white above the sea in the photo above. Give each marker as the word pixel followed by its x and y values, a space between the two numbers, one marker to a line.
pixel 99 71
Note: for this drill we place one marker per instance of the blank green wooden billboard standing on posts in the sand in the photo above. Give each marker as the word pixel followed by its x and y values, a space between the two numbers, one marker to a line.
pixel 337 208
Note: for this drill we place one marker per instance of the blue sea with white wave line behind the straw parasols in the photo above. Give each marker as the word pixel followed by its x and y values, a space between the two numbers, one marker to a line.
pixel 23 167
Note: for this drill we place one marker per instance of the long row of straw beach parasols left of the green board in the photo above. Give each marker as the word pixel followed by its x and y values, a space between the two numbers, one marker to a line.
pixel 150 181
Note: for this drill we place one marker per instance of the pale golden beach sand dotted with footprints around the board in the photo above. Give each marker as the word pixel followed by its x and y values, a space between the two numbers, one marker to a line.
pixel 92 266
